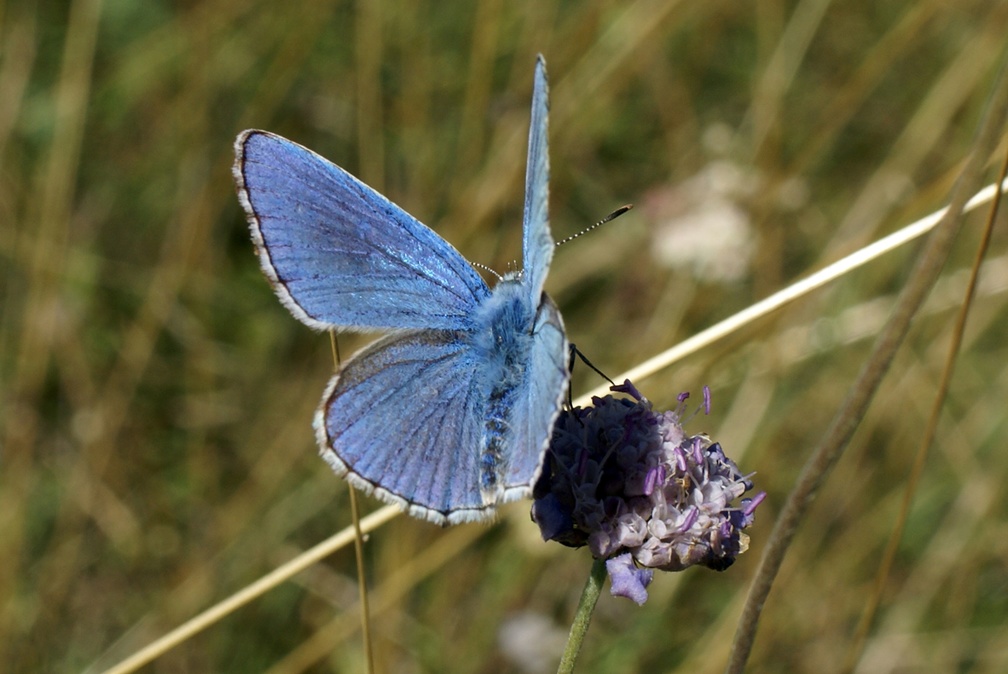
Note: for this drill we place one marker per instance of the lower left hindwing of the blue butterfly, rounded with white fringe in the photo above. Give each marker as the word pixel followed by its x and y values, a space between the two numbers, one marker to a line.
pixel 404 421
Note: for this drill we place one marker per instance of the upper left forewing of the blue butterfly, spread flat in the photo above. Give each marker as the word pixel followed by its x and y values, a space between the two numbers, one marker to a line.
pixel 341 255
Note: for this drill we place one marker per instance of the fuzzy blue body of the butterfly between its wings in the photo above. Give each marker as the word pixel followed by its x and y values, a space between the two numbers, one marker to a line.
pixel 503 337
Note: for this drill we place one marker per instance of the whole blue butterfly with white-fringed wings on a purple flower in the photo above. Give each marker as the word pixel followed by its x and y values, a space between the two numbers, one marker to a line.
pixel 450 415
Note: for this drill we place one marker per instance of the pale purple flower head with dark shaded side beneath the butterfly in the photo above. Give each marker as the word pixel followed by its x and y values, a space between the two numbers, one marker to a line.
pixel 628 483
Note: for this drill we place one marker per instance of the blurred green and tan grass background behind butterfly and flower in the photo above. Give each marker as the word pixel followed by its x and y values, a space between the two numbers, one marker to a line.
pixel 157 399
